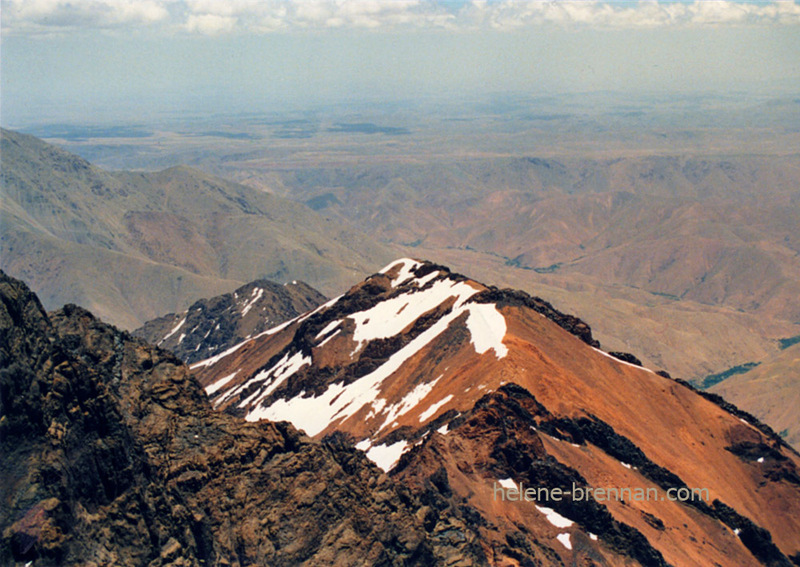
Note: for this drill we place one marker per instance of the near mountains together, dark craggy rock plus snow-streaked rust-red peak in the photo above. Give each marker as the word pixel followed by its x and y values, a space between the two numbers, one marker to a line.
pixel 492 415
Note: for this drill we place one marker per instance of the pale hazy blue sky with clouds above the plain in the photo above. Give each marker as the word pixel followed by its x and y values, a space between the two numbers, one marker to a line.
pixel 82 60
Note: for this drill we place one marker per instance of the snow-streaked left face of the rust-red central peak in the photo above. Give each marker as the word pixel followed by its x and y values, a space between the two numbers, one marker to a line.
pixel 361 337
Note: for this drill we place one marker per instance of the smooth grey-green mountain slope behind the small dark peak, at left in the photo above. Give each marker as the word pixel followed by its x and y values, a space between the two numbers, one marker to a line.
pixel 134 246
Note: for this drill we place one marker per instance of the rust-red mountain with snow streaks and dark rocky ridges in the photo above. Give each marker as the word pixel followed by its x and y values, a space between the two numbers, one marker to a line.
pixel 501 412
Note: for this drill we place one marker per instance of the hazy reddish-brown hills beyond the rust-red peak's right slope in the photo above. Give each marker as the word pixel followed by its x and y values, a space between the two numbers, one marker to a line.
pixel 701 250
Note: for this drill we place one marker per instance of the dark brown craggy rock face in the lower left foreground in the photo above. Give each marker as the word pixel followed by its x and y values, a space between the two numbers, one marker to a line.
pixel 111 455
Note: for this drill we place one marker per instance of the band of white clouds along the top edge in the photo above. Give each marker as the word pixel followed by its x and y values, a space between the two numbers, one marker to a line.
pixel 261 16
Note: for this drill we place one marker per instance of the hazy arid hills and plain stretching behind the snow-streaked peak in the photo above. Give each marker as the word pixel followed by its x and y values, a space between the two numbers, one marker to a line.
pixel 669 224
